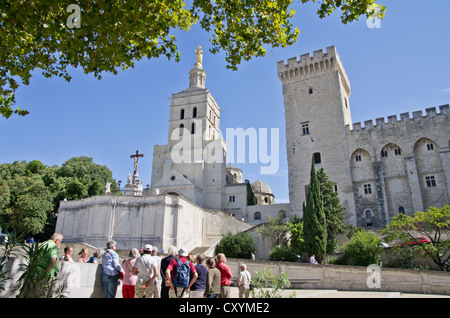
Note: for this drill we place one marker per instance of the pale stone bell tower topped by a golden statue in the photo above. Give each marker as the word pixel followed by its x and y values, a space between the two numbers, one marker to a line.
pixel 185 165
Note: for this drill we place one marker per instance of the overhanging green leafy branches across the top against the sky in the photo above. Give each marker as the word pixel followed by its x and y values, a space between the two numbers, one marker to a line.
pixel 106 36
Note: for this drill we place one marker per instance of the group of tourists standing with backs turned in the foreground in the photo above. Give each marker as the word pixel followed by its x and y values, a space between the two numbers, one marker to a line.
pixel 177 275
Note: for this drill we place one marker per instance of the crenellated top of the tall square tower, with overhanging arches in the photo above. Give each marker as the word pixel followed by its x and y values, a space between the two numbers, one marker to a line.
pixel 309 66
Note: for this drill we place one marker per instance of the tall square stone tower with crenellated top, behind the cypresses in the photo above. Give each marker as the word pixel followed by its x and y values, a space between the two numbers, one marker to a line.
pixel 316 93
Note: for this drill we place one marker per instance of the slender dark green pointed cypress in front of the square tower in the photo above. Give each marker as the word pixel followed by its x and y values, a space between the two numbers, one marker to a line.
pixel 314 221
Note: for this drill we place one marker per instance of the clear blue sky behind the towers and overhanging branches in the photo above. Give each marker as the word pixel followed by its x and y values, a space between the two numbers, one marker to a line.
pixel 400 67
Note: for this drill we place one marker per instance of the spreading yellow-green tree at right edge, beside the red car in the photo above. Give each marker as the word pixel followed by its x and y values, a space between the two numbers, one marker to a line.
pixel 433 224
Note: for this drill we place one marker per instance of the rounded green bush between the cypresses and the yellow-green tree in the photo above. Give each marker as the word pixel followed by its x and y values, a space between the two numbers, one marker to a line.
pixel 363 249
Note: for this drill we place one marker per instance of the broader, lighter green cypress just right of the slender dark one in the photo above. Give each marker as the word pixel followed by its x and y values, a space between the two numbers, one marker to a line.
pixel 334 211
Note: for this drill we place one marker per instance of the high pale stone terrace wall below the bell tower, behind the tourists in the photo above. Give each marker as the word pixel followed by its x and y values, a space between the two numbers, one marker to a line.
pixel 159 220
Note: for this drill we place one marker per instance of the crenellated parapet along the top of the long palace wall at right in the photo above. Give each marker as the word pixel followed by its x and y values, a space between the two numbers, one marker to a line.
pixel 394 120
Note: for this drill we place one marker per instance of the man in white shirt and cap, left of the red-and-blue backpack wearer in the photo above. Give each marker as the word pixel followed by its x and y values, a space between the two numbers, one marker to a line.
pixel 146 270
